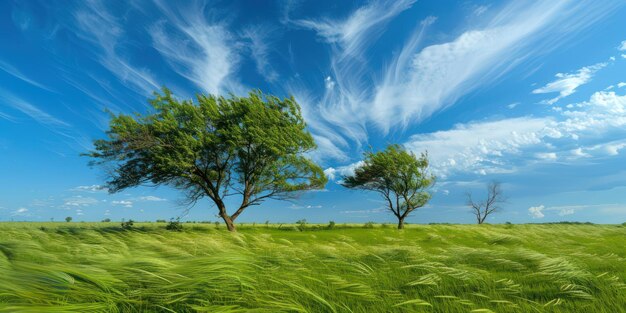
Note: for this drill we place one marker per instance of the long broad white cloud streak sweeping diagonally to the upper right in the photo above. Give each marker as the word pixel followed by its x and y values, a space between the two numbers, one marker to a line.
pixel 420 83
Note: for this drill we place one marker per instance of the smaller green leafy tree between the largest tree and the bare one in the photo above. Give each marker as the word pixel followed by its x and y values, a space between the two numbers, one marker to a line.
pixel 399 176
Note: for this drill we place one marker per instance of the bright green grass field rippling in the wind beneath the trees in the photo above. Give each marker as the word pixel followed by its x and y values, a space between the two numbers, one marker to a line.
pixel 97 267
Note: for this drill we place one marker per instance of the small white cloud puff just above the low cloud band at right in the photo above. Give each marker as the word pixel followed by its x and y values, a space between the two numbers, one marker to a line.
pixel 566 84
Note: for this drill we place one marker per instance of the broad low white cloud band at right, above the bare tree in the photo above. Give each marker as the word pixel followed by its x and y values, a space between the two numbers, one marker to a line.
pixel 491 147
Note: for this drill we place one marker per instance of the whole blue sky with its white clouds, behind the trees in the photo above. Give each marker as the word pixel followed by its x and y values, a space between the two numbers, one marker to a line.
pixel 533 96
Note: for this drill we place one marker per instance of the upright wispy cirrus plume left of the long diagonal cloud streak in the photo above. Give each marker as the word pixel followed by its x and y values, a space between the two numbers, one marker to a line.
pixel 340 105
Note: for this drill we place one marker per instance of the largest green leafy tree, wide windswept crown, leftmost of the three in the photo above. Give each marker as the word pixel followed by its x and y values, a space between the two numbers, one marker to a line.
pixel 251 148
